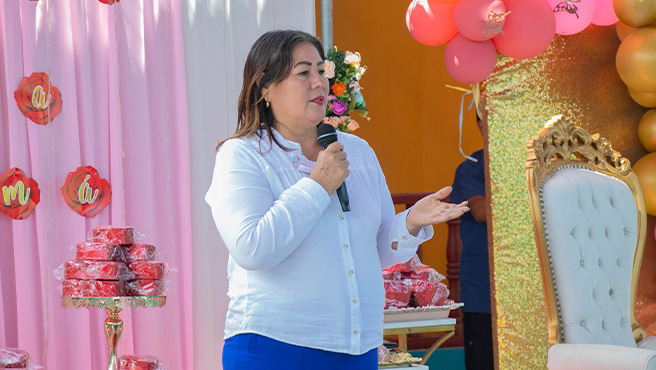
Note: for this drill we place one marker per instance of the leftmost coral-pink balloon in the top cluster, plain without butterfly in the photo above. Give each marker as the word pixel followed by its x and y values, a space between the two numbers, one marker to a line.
pixel 430 22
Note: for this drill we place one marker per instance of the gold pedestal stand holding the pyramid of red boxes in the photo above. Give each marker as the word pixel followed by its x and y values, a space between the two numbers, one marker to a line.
pixel 113 324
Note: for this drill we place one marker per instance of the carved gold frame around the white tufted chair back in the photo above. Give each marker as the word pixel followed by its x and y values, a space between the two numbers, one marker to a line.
pixel 558 144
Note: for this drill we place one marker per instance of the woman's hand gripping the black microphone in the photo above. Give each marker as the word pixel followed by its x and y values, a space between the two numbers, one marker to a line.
pixel 331 167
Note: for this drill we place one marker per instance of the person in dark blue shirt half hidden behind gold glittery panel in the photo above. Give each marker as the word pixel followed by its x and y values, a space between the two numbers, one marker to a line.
pixel 469 185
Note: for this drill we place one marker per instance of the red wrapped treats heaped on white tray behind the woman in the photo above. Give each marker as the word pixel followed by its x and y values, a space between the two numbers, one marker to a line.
pixel 413 284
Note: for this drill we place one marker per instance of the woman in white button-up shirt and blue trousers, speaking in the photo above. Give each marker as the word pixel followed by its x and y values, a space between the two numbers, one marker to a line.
pixel 305 282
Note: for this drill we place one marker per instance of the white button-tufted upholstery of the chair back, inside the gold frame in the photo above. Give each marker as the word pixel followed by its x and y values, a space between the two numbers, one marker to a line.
pixel 591 225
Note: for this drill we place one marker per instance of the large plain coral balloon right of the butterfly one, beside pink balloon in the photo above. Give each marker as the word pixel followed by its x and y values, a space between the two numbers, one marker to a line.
pixel 528 30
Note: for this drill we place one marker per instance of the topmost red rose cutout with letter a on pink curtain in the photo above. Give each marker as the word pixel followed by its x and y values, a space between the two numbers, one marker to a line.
pixel 37 99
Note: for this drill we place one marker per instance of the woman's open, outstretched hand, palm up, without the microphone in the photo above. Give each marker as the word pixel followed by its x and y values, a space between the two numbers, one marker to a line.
pixel 431 210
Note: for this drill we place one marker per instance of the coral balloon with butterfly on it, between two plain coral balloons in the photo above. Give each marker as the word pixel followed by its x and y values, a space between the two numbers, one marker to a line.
pixel 479 20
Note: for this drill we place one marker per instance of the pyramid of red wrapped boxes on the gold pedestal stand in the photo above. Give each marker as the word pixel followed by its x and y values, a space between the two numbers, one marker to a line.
pixel 112 265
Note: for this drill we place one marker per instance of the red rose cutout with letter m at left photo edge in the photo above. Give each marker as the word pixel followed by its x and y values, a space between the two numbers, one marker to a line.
pixel 20 194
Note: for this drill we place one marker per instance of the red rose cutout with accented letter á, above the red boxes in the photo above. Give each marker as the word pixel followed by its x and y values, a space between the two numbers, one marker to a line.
pixel 85 192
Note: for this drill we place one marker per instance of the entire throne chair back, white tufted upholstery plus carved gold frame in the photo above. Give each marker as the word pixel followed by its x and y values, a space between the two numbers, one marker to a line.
pixel 589 220
